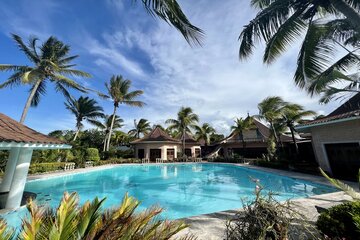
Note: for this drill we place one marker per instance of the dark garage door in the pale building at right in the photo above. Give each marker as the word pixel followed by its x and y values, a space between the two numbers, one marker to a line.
pixel 344 159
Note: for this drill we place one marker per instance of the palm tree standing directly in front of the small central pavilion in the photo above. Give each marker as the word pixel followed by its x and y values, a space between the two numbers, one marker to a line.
pixel 186 119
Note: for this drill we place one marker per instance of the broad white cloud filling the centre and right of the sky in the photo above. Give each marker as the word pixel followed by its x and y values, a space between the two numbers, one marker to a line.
pixel 211 79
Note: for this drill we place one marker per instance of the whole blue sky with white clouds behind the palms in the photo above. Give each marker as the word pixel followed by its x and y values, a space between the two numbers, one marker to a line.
pixel 118 37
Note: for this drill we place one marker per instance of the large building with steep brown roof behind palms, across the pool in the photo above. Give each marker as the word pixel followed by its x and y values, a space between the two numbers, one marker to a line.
pixel 255 140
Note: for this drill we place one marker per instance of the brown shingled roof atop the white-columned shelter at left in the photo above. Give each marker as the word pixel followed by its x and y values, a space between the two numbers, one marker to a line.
pixel 13 131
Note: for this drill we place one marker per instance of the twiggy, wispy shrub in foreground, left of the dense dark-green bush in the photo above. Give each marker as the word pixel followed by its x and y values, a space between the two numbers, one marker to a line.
pixel 266 218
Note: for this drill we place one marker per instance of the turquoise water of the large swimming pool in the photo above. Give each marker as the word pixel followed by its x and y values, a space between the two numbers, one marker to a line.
pixel 183 190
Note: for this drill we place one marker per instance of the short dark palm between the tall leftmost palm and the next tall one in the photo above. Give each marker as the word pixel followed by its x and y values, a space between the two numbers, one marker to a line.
pixel 84 108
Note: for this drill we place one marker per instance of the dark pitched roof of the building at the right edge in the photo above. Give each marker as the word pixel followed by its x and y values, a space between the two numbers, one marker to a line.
pixel 348 110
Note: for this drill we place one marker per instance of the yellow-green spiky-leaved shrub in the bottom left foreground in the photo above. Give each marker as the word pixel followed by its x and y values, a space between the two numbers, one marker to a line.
pixel 71 221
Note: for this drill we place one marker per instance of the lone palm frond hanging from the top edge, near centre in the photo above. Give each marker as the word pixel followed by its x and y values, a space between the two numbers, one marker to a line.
pixel 170 11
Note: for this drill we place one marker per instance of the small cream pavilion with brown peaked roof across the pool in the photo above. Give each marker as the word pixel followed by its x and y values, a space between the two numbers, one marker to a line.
pixel 158 144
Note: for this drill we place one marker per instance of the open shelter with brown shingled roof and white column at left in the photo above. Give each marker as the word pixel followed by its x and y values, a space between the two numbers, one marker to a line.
pixel 20 141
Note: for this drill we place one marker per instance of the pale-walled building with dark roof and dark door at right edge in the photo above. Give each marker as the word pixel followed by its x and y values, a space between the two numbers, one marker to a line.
pixel 336 139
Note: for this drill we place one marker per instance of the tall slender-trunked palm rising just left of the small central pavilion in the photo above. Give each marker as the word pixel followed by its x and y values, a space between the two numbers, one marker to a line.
pixel 118 92
